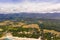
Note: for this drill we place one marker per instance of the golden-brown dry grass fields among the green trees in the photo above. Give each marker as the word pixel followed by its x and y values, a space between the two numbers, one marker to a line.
pixel 24 25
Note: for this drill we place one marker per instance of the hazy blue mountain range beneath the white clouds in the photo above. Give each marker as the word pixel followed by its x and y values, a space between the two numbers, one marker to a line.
pixel 11 16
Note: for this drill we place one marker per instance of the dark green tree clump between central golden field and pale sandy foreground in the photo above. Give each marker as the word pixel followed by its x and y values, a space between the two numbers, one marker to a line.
pixel 15 31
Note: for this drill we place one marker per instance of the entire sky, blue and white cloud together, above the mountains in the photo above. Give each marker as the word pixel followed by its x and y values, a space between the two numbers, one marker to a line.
pixel 33 6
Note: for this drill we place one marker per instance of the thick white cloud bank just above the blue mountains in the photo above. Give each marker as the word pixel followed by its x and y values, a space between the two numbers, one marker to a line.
pixel 30 7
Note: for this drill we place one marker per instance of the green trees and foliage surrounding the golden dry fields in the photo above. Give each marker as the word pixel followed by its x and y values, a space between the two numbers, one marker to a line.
pixel 47 24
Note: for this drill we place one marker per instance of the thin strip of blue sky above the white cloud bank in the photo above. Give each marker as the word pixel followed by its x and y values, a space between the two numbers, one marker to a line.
pixel 18 1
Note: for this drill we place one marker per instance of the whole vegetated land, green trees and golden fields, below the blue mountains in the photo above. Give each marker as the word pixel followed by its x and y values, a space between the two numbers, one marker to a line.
pixel 18 29
